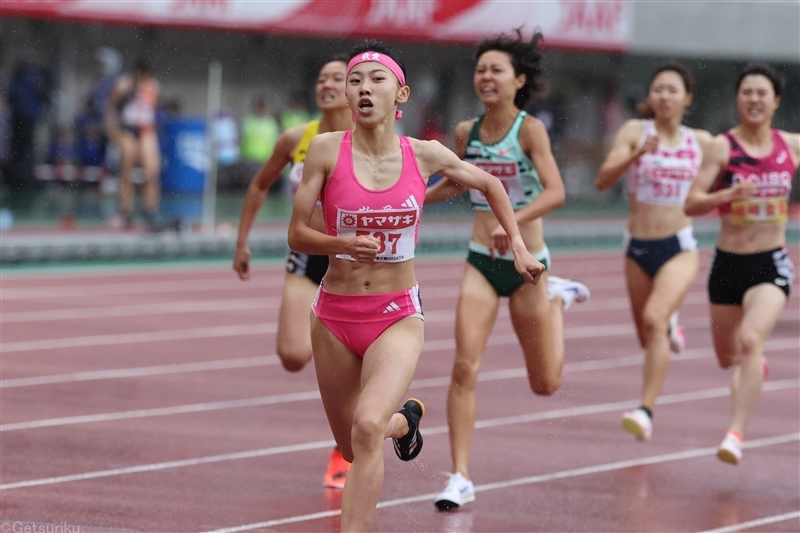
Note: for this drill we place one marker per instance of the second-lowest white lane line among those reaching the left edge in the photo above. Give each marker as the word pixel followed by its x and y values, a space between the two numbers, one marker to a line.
pixel 511 373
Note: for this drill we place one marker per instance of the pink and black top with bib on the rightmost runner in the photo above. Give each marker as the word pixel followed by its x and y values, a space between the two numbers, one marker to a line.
pixel 772 175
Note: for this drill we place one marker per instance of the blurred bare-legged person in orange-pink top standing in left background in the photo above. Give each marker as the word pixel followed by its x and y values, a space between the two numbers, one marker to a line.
pixel 130 114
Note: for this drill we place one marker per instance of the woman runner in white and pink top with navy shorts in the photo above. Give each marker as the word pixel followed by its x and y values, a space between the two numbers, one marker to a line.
pixel 661 157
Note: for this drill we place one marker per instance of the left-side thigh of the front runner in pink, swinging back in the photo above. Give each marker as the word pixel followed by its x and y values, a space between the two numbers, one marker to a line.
pixel 339 378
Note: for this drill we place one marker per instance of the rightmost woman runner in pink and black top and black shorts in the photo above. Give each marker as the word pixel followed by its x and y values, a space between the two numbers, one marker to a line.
pixel 750 169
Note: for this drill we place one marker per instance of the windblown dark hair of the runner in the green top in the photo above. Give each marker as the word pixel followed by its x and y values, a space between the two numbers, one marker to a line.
pixel 526 58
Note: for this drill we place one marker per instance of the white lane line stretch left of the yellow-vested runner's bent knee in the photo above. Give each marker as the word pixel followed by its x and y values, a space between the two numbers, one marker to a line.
pixel 119 373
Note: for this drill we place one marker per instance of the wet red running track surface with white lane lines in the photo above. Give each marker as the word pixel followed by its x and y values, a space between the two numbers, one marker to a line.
pixel 196 427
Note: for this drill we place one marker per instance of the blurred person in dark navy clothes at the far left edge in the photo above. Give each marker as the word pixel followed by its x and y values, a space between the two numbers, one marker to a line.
pixel 28 97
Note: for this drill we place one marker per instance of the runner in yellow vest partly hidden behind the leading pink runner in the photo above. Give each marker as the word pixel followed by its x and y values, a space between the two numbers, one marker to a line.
pixel 304 272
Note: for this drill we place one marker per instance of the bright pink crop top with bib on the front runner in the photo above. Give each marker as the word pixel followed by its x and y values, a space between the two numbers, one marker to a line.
pixel 391 215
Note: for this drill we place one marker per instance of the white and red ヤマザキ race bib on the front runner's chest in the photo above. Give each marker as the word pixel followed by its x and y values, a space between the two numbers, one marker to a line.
pixel 395 230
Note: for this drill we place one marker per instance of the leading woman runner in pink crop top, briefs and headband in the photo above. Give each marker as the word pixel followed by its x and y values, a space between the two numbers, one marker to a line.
pixel 367 323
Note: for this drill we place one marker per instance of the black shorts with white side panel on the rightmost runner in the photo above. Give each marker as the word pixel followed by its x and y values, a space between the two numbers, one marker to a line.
pixel 731 275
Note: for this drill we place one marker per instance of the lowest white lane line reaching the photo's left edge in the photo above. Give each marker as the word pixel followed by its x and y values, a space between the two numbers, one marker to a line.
pixel 435 430
